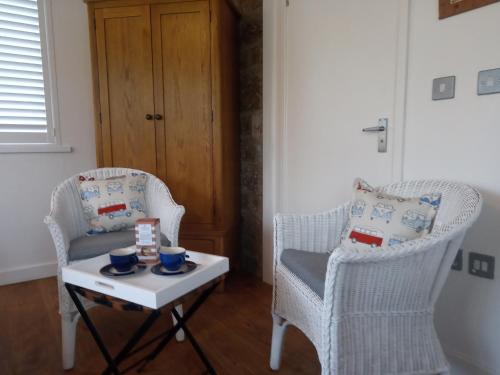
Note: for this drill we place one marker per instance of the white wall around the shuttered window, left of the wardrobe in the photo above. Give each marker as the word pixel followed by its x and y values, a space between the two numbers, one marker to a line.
pixel 26 249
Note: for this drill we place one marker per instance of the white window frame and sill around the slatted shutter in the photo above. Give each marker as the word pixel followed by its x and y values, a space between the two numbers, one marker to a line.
pixel 52 142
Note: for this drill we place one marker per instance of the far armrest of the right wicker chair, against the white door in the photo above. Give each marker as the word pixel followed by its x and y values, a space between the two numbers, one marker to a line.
pixel 316 232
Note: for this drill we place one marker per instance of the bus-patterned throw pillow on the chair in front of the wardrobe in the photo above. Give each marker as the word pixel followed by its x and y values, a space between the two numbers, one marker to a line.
pixel 113 204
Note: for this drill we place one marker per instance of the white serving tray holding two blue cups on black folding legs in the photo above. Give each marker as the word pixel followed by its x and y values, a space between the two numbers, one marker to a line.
pixel 146 288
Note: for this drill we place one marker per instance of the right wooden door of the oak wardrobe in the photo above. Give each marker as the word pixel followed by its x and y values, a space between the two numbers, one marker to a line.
pixel 181 48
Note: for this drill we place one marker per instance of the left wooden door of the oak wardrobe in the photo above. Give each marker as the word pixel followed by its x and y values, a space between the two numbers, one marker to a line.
pixel 125 71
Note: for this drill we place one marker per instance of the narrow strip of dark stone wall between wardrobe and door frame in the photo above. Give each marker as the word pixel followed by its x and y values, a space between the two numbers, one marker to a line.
pixel 251 134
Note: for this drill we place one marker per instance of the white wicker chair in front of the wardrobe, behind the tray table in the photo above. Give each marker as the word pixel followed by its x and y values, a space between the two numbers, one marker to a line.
pixel 67 222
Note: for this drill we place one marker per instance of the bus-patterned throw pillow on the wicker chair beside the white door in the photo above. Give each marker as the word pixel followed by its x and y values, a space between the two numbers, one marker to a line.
pixel 380 220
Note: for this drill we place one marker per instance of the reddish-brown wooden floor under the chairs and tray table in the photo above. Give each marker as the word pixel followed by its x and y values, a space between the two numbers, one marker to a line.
pixel 233 327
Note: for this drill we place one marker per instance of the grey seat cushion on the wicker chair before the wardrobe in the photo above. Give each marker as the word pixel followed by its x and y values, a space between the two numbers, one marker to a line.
pixel 91 246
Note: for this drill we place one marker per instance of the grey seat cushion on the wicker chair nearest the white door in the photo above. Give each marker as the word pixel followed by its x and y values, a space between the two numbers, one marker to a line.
pixel 307 266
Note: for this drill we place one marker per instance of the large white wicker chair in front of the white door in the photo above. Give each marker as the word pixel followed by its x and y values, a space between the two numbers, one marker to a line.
pixel 376 316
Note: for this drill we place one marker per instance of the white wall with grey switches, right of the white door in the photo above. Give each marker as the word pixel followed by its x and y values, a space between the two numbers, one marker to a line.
pixel 459 139
